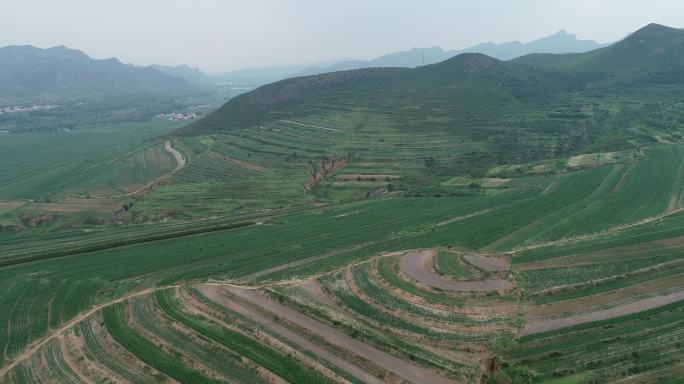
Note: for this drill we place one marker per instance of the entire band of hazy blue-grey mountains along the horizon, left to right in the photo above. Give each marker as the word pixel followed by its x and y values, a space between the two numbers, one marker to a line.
pixel 30 74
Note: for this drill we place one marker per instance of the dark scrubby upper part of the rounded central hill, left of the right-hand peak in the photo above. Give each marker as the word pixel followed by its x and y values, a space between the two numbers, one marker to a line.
pixel 467 81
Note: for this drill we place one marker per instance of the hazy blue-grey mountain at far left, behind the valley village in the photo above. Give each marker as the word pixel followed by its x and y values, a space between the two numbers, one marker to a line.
pixel 30 73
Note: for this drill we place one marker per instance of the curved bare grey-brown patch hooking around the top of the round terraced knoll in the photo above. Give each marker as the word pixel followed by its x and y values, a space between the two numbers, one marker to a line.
pixel 418 265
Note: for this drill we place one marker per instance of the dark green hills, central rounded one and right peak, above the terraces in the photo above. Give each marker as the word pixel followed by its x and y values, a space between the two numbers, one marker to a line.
pixel 538 105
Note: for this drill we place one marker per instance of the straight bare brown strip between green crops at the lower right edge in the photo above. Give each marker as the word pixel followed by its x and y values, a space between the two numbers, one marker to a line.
pixel 617 311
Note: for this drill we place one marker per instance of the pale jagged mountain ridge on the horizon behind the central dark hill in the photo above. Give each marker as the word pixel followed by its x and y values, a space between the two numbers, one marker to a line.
pixel 561 42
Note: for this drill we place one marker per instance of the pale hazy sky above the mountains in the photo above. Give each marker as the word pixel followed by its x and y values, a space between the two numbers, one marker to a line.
pixel 230 34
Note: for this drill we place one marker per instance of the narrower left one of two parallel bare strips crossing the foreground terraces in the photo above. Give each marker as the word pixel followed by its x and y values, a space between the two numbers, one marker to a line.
pixel 213 292
